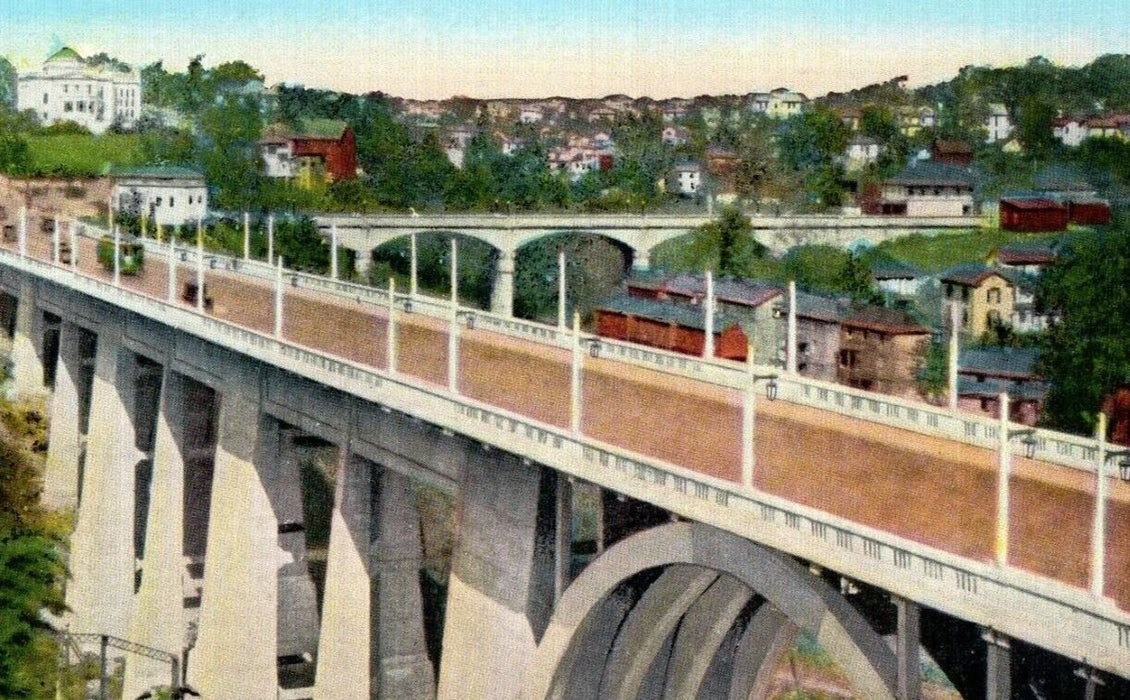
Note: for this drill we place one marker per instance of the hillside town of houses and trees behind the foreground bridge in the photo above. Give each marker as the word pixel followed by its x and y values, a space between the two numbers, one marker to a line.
pixel 1027 157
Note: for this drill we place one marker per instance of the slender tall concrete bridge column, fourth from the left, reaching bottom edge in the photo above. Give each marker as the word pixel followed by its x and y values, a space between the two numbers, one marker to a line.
pixel 161 621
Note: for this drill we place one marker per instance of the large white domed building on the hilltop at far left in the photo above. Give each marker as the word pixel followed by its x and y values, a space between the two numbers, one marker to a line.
pixel 67 90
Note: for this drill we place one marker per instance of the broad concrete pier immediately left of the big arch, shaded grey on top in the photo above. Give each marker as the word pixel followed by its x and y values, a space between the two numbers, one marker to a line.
pixel 501 589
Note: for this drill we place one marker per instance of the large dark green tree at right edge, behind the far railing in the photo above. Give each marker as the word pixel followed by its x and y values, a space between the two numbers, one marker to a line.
pixel 1088 353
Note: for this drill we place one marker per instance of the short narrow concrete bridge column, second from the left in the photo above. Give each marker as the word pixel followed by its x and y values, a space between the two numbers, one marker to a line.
pixel 60 479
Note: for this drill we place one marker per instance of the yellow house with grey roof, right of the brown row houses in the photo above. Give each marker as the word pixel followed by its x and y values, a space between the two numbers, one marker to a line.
pixel 985 296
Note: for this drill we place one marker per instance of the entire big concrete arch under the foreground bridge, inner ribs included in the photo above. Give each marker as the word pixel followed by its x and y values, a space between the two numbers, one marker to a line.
pixel 705 571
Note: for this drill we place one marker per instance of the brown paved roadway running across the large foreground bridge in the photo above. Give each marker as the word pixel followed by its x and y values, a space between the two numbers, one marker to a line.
pixel 929 490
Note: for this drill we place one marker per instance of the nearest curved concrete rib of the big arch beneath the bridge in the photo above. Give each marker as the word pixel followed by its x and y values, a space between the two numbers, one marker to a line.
pixel 804 600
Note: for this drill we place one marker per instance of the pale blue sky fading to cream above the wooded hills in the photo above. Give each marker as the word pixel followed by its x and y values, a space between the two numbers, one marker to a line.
pixel 436 49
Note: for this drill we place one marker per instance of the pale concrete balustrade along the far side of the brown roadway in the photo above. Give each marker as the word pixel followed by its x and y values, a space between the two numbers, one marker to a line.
pixel 1065 450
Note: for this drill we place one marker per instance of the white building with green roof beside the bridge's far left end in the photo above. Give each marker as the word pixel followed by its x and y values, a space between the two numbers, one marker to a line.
pixel 167 196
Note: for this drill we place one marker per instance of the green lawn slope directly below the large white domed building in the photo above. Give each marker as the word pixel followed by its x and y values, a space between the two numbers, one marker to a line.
pixel 84 155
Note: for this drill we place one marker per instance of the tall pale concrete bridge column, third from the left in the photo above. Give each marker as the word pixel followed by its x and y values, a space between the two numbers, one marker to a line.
pixel 103 556
